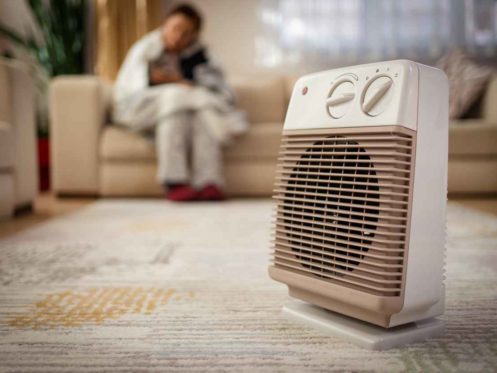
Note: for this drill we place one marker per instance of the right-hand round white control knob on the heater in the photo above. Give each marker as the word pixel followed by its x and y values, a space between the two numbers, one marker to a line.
pixel 377 95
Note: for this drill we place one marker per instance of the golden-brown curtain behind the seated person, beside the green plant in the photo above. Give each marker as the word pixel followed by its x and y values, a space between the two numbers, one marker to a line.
pixel 119 23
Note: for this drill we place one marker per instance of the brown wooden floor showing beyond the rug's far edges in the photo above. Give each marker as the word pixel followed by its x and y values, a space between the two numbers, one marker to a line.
pixel 47 206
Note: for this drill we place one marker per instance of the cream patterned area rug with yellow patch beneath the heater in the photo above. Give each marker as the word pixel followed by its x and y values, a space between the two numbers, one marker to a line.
pixel 143 285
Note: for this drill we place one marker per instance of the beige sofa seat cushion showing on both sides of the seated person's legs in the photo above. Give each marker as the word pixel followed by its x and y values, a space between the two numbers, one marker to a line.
pixel 260 142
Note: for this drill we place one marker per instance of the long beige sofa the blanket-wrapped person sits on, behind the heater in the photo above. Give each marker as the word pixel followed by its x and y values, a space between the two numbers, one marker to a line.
pixel 92 156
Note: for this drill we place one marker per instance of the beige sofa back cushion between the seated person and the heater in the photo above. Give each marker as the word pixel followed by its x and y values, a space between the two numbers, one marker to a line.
pixel 263 99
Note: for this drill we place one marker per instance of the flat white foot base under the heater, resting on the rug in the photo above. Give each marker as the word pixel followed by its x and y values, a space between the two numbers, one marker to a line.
pixel 359 332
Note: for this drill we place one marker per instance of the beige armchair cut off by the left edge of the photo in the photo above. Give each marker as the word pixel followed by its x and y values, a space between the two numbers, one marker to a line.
pixel 18 168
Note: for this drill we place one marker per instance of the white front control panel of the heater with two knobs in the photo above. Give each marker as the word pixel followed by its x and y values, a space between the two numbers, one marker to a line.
pixel 375 94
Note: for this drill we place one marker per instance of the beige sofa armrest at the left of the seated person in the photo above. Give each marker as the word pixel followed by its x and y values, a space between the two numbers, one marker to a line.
pixel 78 108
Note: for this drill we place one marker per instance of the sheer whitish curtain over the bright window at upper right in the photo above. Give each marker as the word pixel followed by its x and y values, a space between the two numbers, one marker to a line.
pixel 322 33
